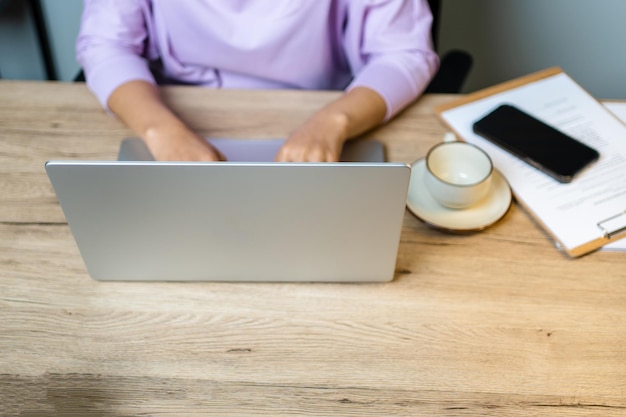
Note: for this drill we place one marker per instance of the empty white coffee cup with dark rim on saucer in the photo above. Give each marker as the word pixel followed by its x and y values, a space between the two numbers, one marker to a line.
pixel 458 174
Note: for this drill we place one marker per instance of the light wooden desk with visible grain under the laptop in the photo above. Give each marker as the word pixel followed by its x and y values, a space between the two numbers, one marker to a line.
pixel 496 323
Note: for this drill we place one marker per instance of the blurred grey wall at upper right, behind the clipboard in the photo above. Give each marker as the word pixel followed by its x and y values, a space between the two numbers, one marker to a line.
pixel 510 38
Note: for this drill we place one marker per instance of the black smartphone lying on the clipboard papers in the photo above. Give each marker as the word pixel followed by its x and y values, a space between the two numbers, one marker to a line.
pixel 536 143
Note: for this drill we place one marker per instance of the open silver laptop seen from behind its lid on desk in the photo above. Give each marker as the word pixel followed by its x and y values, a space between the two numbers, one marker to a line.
pixel 248 219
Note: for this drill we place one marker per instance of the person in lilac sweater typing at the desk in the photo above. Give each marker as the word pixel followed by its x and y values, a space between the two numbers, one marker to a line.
pixel 379 52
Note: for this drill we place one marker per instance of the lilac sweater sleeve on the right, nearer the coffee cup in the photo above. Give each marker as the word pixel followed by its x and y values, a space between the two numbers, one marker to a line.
pixel 389 48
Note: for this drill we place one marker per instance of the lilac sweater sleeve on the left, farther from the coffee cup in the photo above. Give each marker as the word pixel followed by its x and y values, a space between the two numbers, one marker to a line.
pixel 112 44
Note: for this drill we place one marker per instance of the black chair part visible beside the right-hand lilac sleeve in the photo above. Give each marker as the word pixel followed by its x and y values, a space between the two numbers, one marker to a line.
pixel 455 64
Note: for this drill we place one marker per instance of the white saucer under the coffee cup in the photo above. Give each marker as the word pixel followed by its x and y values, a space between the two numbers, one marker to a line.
pixel 478 217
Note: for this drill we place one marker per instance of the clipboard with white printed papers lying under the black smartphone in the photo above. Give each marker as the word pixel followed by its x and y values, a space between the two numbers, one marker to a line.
pixel 580 216
